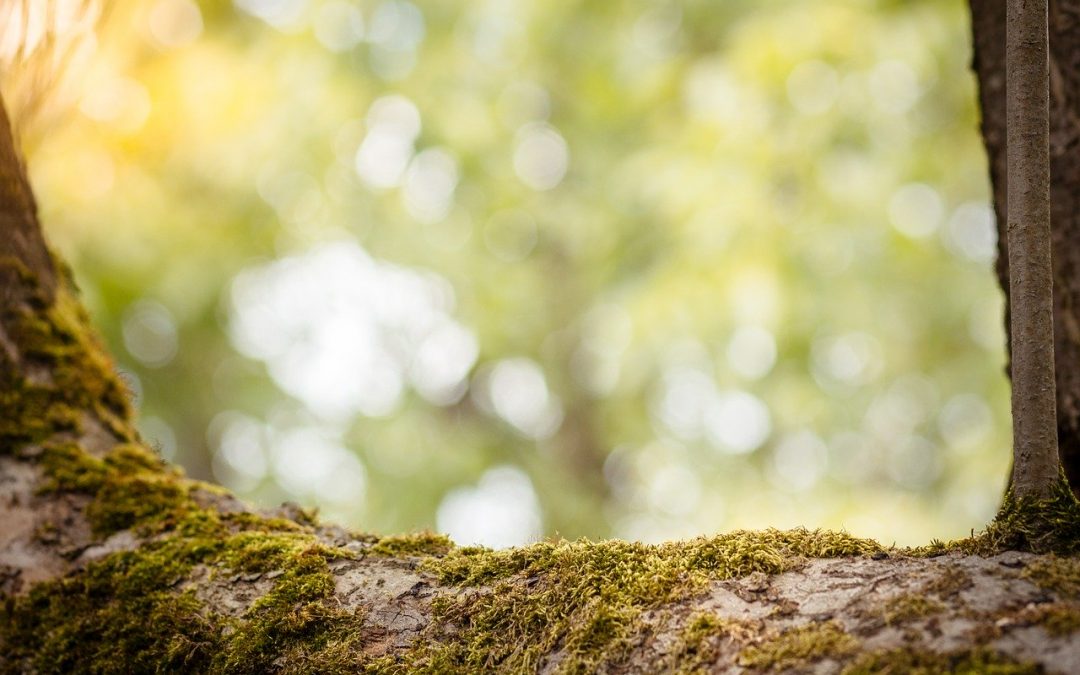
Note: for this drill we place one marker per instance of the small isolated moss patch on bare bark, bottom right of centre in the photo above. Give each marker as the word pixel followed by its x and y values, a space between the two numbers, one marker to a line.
pixel 800 646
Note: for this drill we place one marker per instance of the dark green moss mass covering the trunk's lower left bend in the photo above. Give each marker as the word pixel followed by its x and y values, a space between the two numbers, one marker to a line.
pixel 59 626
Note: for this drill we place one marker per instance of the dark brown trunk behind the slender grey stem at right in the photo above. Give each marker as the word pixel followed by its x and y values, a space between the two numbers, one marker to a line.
pixel 989 23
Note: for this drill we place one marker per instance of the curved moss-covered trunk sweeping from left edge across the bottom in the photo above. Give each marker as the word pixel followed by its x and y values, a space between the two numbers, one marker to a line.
pixel 113 562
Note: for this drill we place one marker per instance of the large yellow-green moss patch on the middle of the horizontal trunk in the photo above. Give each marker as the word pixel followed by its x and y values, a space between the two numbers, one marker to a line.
pixel 587 599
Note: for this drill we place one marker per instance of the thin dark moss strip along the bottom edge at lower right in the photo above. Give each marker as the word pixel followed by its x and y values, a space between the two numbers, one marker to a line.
pixel 921 663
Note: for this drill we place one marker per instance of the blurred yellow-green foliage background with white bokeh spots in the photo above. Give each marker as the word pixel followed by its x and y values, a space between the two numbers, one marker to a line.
pixel 509 269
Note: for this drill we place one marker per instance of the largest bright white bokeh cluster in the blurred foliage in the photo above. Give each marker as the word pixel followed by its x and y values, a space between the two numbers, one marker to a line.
pixel 347 334
